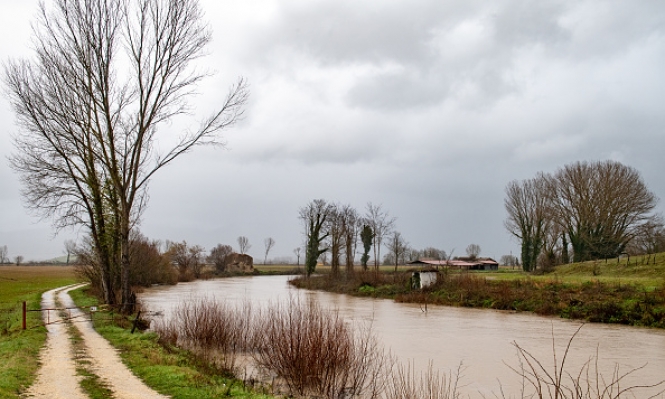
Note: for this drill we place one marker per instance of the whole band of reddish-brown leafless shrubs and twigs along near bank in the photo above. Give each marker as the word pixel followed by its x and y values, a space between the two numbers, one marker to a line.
pixel 298 349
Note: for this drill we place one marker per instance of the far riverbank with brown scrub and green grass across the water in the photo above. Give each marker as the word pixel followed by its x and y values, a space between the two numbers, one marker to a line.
pixel 612 292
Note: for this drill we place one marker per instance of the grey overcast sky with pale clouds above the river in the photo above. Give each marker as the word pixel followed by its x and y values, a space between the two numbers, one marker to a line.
pixel 427 107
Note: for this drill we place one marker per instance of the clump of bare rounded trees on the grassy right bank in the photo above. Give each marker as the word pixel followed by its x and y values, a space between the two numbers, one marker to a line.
pixel 583 211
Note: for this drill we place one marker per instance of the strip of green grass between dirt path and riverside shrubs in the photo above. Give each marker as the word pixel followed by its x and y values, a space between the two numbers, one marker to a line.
pixel 170 371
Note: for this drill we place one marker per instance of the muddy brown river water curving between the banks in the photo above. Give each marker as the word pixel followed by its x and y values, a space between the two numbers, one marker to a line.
pixel 480 340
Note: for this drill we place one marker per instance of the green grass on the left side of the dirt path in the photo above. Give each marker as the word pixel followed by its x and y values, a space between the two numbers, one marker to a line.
pixel 19 349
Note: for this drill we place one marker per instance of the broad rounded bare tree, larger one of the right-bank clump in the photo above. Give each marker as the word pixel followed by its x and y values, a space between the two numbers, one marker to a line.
pixel 601 206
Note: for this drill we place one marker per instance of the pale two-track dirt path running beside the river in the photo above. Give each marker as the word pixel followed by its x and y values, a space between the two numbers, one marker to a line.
pixel 57 377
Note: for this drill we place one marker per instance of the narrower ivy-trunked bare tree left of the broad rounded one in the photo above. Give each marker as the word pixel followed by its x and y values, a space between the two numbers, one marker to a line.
pixel 527 206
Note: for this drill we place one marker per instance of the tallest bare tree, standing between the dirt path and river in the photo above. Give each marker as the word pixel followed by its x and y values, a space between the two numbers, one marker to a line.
pixel 105 77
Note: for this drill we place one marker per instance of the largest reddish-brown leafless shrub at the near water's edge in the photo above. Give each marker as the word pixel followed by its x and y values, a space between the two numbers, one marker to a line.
pixel 316 353
